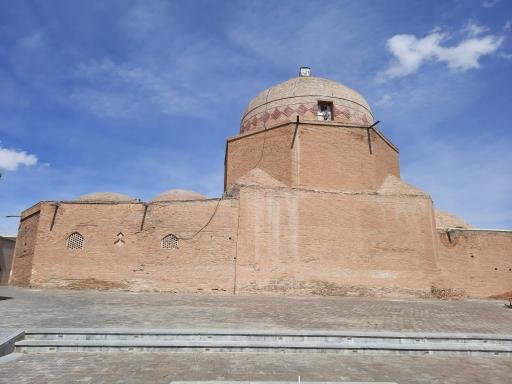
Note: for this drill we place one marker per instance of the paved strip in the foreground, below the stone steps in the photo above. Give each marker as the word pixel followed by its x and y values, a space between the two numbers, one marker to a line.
pixel 126 368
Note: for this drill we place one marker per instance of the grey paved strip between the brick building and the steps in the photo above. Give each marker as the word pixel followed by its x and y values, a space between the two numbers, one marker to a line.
pixel 56 308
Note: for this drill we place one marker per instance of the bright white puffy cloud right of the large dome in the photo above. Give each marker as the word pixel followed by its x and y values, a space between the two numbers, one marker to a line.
pixel 411 52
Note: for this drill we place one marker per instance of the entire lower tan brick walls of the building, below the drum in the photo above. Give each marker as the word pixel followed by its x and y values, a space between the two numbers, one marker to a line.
pixel 268 239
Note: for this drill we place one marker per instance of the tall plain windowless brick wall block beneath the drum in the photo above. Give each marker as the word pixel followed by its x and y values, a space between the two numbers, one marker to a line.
pixel 304 241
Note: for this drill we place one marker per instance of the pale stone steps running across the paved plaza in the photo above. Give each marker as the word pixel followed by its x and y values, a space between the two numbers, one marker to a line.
pixel 154 340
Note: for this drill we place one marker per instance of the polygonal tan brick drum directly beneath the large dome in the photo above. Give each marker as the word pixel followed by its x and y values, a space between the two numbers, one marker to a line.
pixel 322 155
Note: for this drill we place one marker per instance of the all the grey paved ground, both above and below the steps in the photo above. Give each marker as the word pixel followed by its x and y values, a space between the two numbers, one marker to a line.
pixel 54 308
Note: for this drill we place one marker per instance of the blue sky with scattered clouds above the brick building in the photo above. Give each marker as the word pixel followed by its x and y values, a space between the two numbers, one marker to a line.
pixel 139 96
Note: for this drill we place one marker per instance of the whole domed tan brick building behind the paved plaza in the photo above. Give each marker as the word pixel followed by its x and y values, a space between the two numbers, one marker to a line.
pixel 313 203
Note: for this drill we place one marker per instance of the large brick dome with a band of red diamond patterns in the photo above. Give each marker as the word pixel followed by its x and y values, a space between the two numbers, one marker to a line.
pixel 300 96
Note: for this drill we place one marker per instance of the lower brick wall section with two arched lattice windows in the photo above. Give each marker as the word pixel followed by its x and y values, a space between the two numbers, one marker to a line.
pixel 204 263
